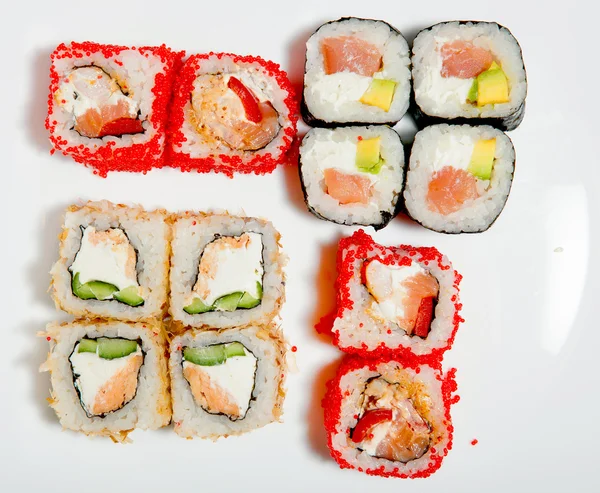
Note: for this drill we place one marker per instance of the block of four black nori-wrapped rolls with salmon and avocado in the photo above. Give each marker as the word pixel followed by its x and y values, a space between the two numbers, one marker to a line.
pixel 467 78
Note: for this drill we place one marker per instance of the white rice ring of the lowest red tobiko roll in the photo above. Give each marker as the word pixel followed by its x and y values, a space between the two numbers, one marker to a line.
pixel 429 385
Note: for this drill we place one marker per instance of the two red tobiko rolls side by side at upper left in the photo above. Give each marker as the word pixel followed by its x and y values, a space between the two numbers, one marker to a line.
pixel 118 108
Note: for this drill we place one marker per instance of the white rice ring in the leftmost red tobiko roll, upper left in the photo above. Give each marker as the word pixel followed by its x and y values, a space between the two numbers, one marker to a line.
pixel 129 68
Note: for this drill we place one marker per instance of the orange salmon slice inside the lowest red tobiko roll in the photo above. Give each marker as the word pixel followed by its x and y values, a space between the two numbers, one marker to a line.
pixel 407 438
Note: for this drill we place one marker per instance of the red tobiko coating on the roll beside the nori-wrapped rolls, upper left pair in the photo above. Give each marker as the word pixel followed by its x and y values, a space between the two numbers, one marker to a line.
pixel 224 163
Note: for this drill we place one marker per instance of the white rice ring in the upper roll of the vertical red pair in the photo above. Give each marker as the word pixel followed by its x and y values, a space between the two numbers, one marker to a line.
pixel 358 329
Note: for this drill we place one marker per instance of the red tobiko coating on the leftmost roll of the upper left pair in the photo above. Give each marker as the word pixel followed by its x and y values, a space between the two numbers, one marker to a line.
pixel 106 157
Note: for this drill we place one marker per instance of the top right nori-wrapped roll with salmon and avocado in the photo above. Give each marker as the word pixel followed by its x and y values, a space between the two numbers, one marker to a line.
pixel 468 72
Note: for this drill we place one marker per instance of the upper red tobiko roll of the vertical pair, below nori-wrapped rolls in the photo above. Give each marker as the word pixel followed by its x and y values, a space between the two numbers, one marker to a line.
pixel 400 301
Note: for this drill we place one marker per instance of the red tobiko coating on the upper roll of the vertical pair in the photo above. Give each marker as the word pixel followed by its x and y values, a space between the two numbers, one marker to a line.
pixel 363 243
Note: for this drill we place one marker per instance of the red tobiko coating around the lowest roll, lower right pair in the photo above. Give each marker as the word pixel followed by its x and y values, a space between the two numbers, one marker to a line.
pixel 332 407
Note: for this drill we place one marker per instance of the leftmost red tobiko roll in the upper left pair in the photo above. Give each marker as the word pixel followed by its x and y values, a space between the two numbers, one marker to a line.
pixel 107 106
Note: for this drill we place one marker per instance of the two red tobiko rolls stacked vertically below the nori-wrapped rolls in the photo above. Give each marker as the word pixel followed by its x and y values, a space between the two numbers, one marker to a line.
pixel 387 411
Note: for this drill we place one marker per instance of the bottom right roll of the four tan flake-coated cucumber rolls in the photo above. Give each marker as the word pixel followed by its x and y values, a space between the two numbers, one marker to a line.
pixel 226 382
